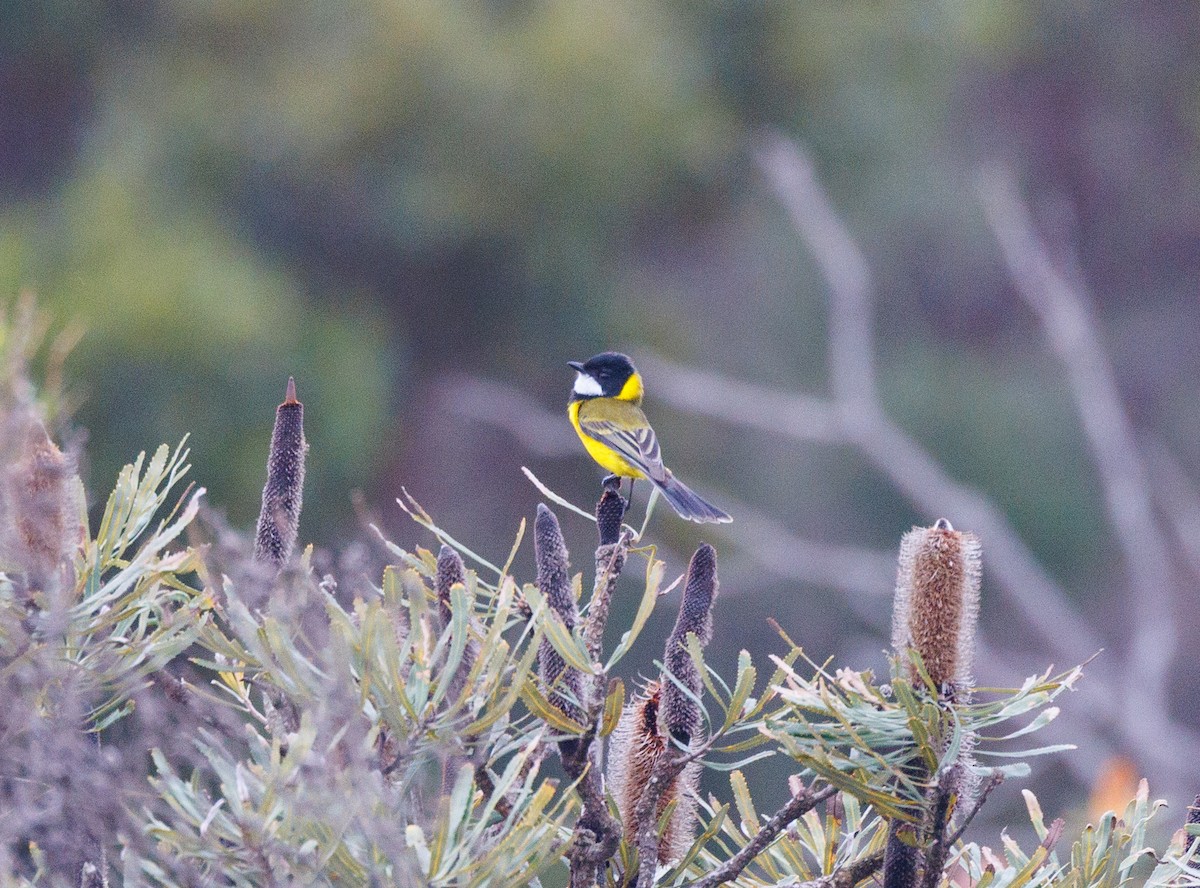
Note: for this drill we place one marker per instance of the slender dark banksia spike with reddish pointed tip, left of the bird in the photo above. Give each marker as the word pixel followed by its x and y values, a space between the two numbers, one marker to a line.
pixel 279 521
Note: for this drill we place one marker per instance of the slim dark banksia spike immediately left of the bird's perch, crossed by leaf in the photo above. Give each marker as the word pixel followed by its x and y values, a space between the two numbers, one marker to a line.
pixel 555 584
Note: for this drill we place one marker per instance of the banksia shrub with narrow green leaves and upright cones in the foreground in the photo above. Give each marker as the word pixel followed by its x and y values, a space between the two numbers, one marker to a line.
pixel 173 715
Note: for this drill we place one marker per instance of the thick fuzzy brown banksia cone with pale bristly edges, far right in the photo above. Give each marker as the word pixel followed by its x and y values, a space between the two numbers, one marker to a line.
pixel 938 604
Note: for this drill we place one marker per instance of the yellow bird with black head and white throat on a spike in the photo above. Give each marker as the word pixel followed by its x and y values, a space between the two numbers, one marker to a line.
pixel 605 410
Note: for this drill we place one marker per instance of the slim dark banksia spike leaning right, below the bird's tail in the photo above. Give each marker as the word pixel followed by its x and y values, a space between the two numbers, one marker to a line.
pixel 681 713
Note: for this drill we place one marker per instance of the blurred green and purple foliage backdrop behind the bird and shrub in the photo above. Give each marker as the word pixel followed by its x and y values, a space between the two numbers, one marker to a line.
pixel 386 197
